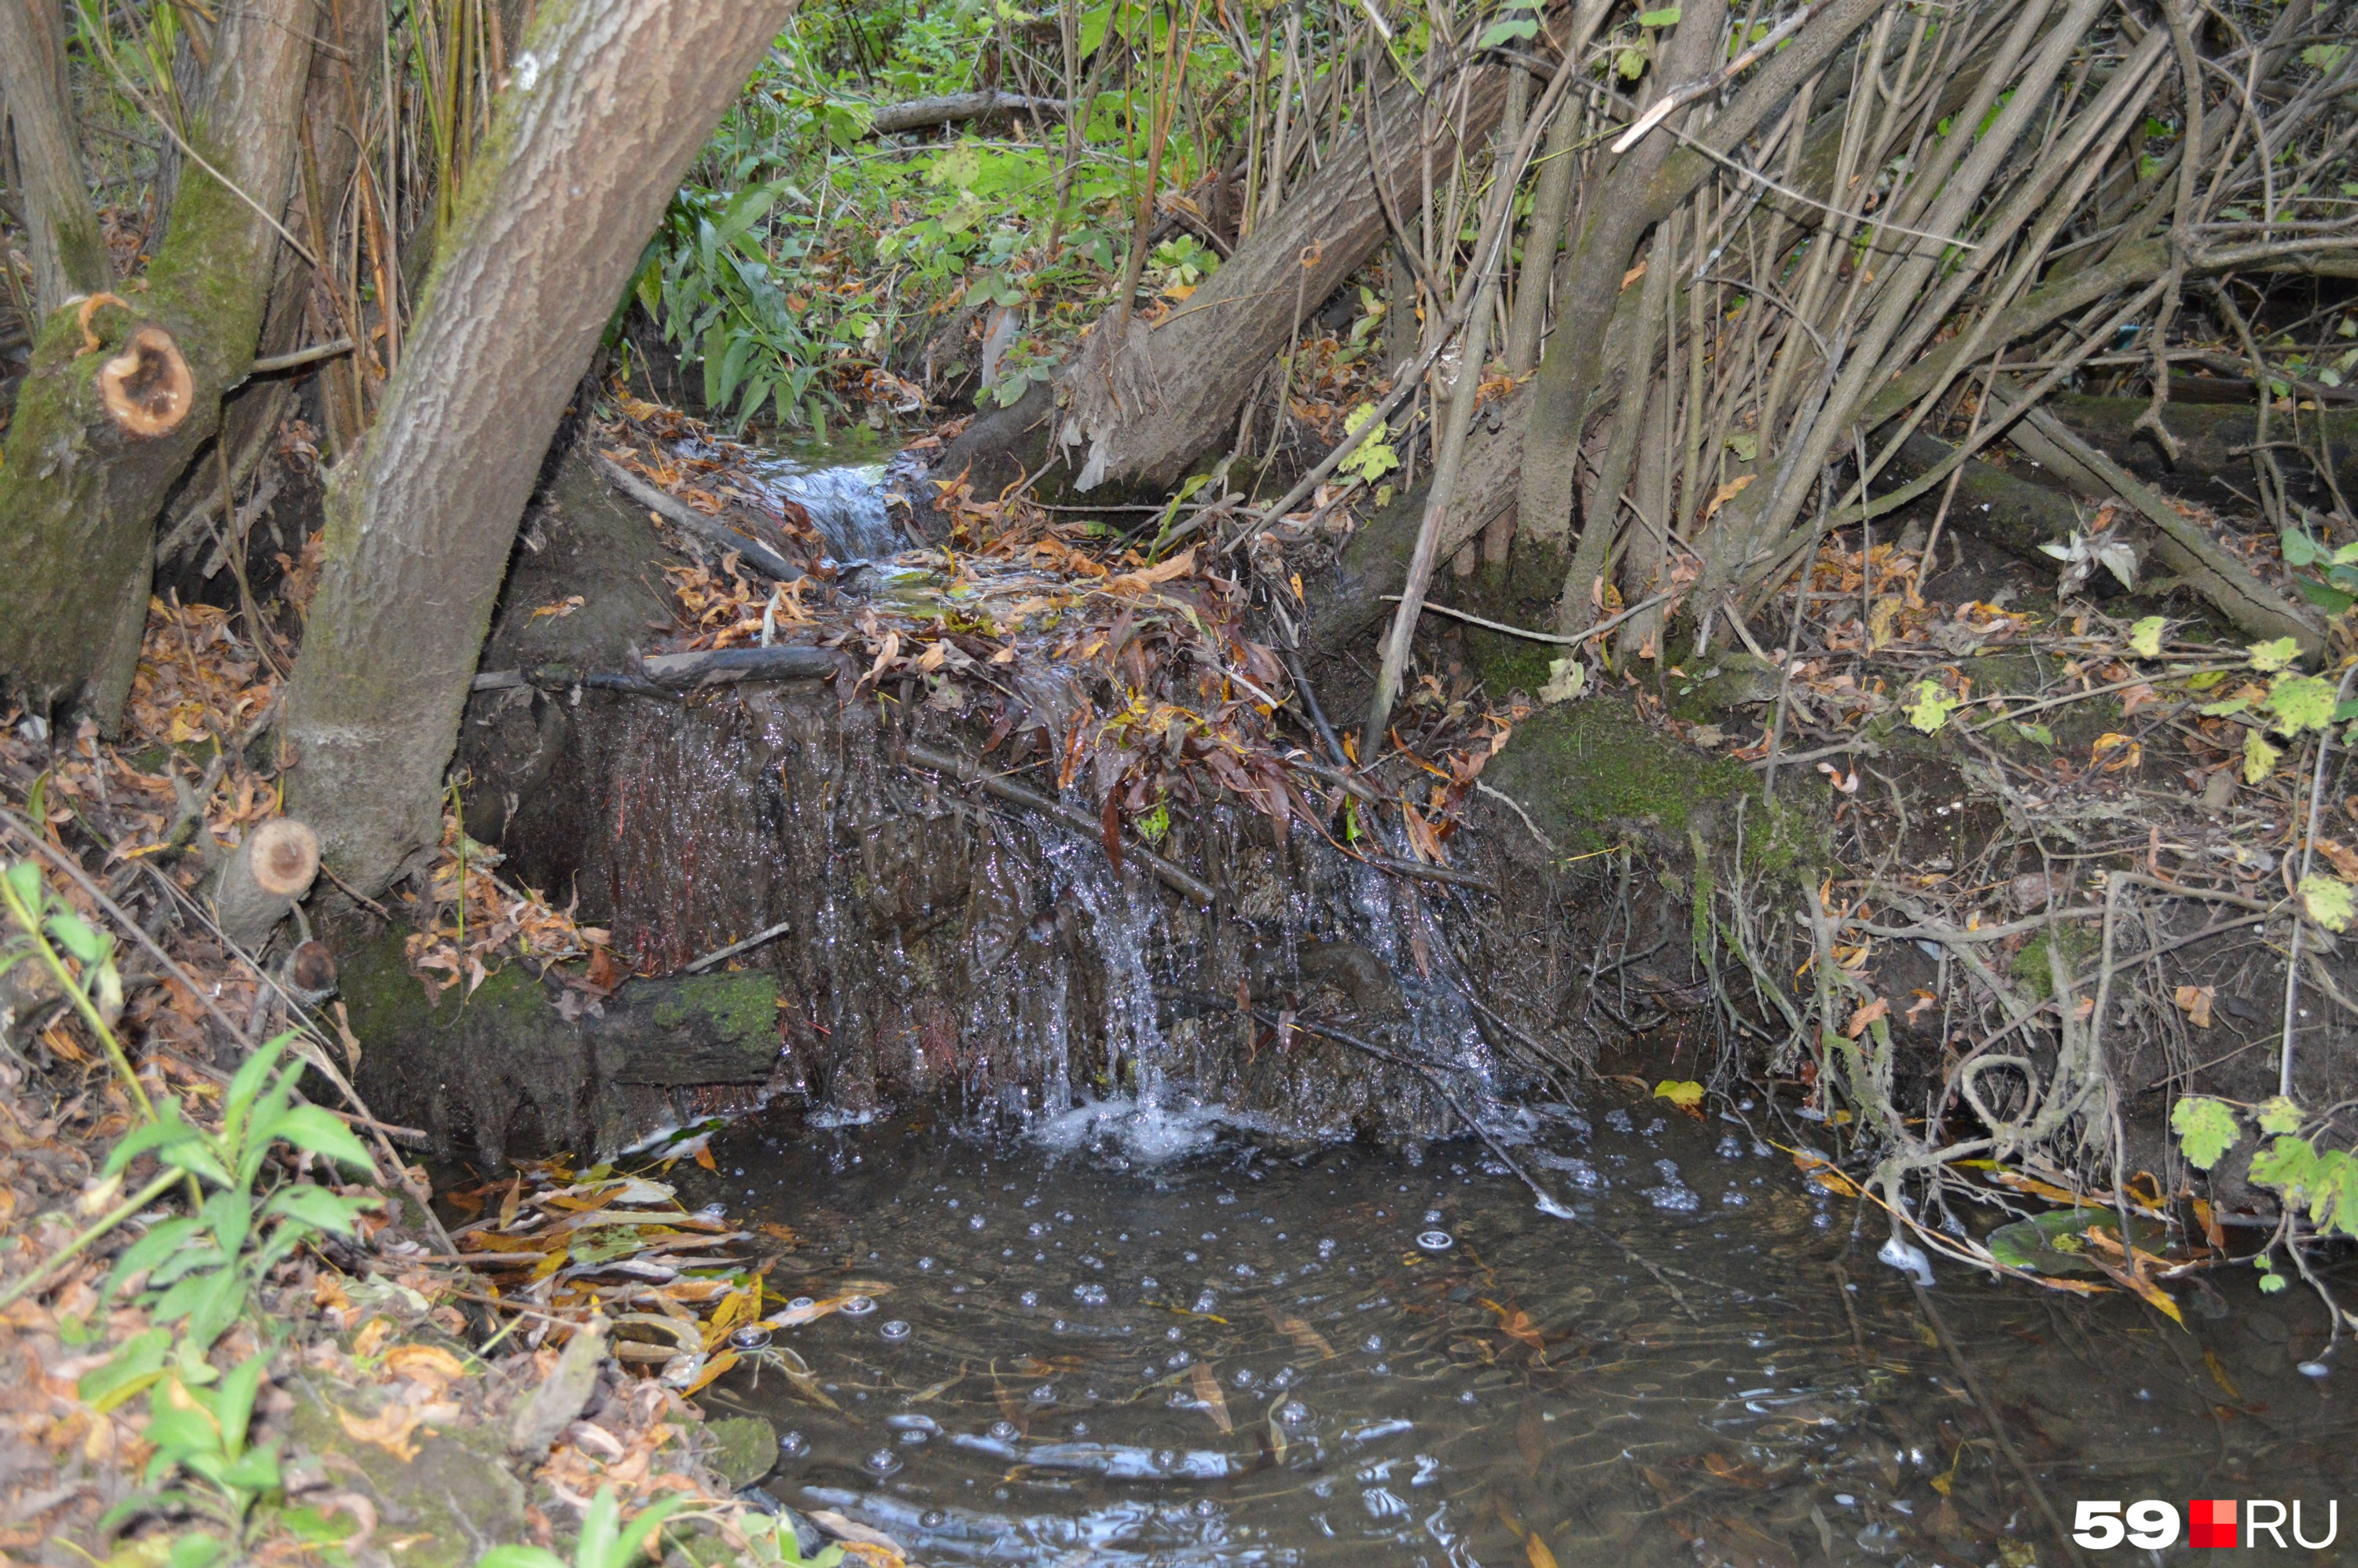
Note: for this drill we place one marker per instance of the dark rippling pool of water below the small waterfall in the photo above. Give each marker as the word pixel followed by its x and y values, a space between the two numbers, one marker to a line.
pixel 1345 1355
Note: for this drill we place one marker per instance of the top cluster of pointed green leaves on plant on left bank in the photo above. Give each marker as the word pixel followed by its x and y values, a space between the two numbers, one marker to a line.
pixel 204 1267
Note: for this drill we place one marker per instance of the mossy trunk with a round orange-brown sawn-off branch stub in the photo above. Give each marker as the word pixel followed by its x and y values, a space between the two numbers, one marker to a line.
pixel 124 393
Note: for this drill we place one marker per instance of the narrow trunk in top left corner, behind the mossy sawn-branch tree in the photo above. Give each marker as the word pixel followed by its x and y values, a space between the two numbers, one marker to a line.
pixel 62 228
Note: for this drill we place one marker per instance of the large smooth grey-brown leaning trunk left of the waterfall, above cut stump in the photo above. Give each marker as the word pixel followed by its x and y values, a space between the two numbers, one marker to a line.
pixel 607 107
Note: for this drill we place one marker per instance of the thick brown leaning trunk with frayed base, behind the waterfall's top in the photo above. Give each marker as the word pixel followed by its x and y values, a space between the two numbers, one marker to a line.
pixel 1135 414
